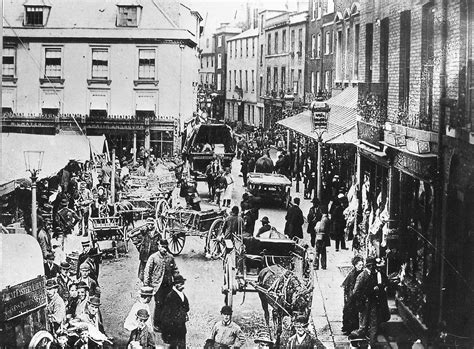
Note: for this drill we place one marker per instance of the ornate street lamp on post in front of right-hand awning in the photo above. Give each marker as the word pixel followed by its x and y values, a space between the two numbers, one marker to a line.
pixel 319 118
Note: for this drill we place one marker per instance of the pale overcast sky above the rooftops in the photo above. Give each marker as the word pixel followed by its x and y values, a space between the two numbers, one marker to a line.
pixel 225 10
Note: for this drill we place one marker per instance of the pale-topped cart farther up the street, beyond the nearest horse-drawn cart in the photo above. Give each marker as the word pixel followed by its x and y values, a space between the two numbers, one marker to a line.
pixel 269 186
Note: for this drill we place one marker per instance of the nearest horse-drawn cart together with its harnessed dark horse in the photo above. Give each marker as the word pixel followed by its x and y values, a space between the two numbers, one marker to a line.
pixel 276 268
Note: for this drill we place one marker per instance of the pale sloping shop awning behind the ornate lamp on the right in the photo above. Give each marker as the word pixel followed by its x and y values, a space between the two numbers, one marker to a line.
pixel 341 123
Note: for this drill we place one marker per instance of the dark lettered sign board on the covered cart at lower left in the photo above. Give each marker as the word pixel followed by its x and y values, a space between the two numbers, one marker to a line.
pixel 22 298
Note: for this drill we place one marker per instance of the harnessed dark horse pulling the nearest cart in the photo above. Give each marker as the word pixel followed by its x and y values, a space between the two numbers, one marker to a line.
pixel 284 288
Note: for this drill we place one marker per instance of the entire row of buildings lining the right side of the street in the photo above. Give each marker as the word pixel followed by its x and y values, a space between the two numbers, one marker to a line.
pixel 399 80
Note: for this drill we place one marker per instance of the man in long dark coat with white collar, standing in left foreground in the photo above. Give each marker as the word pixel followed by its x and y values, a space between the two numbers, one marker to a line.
pixel 175 314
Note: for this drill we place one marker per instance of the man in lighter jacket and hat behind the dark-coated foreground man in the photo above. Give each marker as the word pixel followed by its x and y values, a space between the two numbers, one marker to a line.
pixel 160 270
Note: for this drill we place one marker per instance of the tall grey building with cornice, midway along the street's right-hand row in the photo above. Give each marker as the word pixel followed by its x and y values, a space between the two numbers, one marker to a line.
pixel 283 65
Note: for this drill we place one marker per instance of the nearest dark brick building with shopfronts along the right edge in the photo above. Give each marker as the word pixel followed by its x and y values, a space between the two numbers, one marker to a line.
pixel 415 155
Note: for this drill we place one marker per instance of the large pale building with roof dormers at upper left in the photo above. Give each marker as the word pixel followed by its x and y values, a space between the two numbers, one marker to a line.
pixel 102 67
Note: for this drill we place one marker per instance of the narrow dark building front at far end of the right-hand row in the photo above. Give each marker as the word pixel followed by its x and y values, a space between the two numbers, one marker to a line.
pixel 222 34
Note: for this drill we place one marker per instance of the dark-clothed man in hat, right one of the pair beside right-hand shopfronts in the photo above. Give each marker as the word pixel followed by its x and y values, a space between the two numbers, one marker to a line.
pixel 369 294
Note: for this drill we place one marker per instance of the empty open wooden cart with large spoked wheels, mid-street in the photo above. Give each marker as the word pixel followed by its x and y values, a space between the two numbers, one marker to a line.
pixel 176 224
